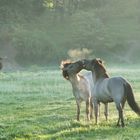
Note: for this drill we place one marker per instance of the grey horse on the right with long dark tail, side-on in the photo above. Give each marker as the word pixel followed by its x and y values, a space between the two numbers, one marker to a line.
pixel 106 89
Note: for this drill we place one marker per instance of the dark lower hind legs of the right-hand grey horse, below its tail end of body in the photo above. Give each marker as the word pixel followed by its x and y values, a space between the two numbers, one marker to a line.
pixel 120 110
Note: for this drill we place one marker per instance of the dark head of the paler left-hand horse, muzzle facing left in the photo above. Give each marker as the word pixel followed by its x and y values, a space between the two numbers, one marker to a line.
pixel 70 68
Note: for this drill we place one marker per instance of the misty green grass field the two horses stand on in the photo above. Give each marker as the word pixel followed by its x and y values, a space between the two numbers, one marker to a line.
pixel 39 105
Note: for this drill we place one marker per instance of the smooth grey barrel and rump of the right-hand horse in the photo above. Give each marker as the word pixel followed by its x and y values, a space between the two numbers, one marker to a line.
pixel 109 89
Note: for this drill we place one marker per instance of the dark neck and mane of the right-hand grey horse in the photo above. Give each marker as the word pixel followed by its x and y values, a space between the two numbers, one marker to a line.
pixel 100 70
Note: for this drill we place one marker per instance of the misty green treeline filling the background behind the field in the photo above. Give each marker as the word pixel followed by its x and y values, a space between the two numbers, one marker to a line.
pixel 46 31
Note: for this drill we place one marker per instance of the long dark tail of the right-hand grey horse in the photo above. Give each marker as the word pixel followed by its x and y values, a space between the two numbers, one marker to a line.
pixel 131 100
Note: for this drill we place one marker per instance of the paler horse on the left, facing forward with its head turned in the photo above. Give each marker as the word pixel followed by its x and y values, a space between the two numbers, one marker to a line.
pixel 80 84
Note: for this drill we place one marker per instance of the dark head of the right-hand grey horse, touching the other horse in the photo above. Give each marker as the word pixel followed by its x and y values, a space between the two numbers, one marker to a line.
pixel 91 64
